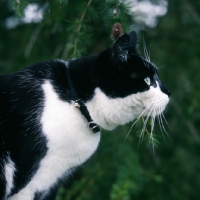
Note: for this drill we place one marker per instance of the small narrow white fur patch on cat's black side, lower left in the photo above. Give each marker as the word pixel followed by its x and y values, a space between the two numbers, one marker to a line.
pixel 9 174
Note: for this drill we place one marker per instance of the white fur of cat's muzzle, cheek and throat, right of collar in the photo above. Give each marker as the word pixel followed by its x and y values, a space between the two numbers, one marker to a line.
pixel 111 112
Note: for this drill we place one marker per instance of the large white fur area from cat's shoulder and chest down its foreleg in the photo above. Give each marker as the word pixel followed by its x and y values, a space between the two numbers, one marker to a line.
pixel 70 143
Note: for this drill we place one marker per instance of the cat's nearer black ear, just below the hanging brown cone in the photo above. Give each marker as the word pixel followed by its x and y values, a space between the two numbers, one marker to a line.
pixel 119 50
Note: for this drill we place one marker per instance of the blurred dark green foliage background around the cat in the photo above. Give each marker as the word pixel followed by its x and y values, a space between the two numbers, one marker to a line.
pixel 32 31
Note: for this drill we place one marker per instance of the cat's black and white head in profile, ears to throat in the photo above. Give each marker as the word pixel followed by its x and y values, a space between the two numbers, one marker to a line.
pixel 129 86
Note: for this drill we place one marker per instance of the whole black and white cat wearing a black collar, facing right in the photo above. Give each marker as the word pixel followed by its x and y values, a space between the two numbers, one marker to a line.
pixel 51 114
